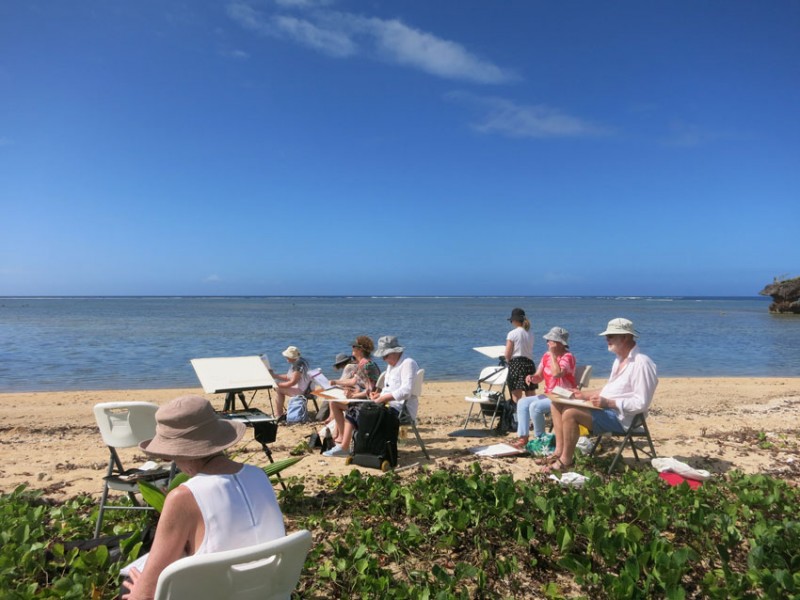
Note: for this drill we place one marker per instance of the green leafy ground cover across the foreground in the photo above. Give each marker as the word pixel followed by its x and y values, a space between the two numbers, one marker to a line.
pixel 454 534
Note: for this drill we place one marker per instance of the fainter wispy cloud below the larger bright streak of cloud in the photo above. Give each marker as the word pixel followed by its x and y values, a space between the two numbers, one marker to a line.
pixel 504 117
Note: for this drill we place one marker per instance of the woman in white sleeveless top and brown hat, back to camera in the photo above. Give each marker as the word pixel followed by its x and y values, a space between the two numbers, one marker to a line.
pixel 204 514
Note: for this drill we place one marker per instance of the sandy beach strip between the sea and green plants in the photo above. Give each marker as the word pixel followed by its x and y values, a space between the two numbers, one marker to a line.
pixel 50 440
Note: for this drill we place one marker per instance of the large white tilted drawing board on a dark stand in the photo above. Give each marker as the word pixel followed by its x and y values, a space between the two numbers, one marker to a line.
pixel 233 376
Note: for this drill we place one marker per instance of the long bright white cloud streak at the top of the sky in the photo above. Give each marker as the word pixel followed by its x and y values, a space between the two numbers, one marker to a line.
pixel 341 34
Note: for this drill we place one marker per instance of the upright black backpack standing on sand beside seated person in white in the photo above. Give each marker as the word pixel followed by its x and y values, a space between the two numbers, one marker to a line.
pixel 376 439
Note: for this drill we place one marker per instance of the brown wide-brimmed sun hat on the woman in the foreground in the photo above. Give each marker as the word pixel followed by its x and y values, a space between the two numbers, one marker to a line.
pixel 188 427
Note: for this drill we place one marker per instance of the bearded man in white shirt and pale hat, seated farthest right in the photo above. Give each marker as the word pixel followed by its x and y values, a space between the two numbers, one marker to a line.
pixel 629 391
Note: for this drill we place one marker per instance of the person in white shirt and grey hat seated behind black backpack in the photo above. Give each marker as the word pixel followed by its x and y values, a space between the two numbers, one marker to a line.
pixel 398 386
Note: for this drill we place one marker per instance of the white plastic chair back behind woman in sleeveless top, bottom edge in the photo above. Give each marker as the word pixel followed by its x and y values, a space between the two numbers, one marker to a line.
pixel 267 571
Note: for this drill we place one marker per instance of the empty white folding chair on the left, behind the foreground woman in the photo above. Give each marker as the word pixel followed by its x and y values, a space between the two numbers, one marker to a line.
pixel 124 425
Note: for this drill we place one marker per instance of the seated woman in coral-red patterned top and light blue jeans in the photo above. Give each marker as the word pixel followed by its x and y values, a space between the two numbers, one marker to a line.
pixel 557 367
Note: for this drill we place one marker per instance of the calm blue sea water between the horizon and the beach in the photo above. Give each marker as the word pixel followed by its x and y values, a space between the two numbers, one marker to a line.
pixel 147 342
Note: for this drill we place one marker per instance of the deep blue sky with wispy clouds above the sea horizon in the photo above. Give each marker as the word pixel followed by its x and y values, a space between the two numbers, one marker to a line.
pixel 415 147
